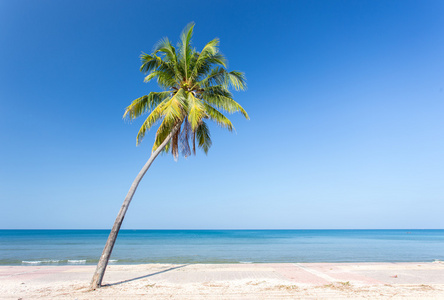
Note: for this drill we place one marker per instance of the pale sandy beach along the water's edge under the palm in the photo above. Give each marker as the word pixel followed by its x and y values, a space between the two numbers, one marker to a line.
pixel 228 281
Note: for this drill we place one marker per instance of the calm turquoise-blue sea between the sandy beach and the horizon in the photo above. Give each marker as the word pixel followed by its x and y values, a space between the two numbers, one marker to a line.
pixel 65 247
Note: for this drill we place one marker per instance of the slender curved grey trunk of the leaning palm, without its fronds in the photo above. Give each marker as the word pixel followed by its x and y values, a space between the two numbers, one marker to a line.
pixel 103 262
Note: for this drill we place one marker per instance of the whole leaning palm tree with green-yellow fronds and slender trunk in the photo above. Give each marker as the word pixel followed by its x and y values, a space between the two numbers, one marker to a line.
pixel 196 88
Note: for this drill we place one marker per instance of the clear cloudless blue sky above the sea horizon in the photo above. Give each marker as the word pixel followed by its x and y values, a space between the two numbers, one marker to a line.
pixel 346 100
